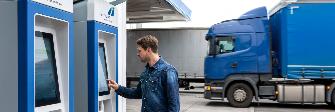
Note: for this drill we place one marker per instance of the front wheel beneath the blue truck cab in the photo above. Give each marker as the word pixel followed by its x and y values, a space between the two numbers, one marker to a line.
pixel 239 95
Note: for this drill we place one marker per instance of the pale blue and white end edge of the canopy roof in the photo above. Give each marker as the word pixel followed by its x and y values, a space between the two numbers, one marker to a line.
pixel 181 8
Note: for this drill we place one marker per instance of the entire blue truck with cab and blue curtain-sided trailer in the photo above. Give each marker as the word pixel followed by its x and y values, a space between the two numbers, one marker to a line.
pixel 287 55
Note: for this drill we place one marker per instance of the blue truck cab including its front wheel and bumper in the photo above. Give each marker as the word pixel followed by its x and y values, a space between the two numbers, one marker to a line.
pixel 239 51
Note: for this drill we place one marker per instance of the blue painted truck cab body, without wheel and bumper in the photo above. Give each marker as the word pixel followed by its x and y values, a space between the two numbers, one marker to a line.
pixel 239 46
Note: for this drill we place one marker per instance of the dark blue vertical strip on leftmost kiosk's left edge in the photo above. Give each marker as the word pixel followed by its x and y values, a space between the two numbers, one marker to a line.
pixel 25 105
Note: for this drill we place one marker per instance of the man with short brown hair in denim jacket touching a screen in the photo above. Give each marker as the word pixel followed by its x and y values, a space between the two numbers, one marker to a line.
pixel 158 85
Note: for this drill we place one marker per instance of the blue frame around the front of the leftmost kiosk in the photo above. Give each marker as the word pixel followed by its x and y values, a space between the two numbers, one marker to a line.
pixel 27 10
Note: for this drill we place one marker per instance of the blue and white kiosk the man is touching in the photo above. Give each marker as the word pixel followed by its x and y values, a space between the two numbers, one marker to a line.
pixel 96 44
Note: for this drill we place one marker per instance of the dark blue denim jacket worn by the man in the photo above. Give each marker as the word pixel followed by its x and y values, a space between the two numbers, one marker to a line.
pixel 158 88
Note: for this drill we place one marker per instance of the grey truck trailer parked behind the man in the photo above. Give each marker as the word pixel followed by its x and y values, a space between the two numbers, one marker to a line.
pixel 184 48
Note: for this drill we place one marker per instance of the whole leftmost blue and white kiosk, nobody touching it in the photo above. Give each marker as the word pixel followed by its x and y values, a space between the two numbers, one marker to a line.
pixel 36 61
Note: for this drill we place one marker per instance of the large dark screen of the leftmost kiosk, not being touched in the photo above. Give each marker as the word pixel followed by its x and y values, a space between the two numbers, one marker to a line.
pixel 46 79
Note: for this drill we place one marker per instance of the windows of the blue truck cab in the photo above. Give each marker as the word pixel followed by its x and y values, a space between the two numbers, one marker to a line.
pixel 221 45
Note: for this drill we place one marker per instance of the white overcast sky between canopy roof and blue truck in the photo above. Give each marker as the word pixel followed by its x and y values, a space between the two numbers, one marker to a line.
pixel 205 14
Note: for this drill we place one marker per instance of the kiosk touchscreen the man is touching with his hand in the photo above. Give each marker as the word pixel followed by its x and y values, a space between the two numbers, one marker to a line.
pixel 102 71
